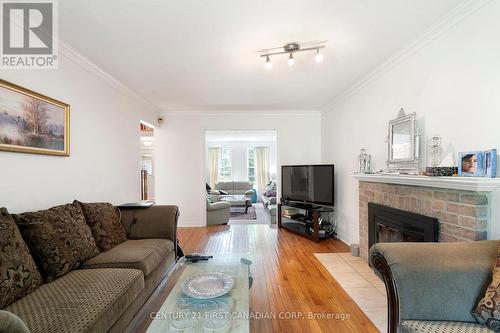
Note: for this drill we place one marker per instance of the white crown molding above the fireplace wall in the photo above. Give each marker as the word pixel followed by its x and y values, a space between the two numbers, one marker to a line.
pixel 459 13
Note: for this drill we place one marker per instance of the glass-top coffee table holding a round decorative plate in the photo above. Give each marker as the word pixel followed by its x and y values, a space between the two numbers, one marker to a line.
pixel 230 312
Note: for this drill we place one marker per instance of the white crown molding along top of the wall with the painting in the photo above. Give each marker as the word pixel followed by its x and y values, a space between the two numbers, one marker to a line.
pixel 84 62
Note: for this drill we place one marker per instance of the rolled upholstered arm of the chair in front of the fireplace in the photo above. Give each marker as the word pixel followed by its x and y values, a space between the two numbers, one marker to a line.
pixel 433 281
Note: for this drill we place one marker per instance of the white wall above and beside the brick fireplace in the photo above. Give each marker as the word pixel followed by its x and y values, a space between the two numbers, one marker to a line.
pixel 452 83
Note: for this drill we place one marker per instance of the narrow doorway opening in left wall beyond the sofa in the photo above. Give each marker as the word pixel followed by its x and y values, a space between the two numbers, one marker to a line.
pixel 147 161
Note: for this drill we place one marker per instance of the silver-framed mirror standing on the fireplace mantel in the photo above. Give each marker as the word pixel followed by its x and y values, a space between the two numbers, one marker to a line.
pixel 403 144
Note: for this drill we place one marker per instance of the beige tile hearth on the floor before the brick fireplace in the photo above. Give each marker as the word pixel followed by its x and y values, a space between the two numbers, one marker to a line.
pixel 362 285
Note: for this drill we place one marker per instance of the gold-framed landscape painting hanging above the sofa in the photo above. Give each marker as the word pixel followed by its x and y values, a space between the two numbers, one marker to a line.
pixel 31 122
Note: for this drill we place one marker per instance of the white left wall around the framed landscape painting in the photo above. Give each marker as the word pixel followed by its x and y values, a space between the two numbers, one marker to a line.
pixel 104 142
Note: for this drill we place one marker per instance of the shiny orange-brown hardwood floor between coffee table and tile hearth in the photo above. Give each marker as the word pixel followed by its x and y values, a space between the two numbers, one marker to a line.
pixel 293 281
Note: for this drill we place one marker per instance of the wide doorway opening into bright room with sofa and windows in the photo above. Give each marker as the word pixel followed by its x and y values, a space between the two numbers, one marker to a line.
pixel 241 176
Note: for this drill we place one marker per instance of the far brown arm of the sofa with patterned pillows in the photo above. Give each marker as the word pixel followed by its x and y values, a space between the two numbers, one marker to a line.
pixel 157 221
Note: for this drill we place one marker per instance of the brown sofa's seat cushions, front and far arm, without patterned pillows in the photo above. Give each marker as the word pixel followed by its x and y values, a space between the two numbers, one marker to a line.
pixel 107 291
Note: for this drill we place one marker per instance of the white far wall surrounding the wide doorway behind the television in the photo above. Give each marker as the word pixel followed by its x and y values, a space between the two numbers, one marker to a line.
pixel 180 142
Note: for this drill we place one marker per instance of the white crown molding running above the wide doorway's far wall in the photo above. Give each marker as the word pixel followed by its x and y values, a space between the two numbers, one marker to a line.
pixel 222 113
